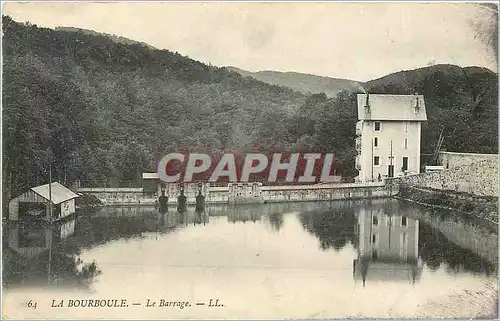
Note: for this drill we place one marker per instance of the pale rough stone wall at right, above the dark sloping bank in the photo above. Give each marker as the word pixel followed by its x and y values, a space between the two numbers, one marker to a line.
pixel 478 176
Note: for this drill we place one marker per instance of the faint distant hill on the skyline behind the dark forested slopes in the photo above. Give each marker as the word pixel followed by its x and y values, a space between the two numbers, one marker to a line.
pixel 304 83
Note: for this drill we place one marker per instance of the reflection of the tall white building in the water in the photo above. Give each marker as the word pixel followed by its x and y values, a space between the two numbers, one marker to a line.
pixel 388 244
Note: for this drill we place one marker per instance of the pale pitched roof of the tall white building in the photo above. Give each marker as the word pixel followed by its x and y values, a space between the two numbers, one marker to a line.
pixel 392 107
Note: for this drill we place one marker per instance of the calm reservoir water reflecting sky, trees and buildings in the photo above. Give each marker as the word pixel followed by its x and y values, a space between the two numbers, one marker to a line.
pixel 379 258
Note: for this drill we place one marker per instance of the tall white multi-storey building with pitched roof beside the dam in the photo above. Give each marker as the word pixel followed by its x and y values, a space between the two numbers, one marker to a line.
pixel 388 135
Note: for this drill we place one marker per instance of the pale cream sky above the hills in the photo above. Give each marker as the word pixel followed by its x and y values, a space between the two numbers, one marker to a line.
pixel 359 41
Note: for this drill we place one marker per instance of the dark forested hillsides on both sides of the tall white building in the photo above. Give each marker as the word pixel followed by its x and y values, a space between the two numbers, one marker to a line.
pixel 104 112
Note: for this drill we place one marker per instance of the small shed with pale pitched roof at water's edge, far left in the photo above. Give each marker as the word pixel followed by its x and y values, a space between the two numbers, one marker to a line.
pixel 34 204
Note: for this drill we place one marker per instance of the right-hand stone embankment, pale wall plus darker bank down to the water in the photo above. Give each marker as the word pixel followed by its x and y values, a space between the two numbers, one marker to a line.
pixel 468 186
